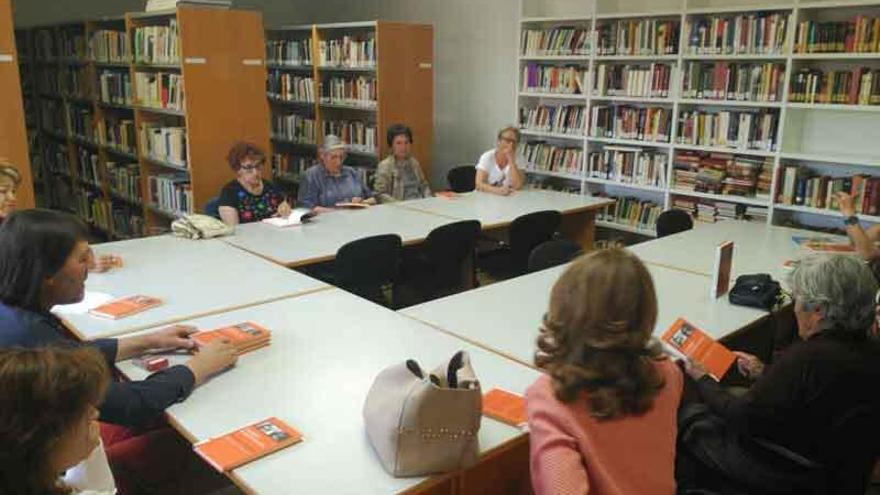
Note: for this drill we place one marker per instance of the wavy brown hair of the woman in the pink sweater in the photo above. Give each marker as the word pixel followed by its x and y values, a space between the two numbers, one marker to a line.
pixel 596 336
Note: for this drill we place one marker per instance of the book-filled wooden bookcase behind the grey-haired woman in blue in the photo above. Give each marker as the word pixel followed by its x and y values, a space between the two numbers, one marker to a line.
pixel 314 89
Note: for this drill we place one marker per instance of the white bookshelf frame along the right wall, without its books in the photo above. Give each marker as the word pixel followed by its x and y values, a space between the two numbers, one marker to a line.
pixel 835 139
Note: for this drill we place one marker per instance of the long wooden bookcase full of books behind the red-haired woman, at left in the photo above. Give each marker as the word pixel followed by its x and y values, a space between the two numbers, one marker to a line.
pixel 121 144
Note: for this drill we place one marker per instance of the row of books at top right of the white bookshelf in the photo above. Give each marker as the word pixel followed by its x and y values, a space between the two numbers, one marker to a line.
pixel 858 35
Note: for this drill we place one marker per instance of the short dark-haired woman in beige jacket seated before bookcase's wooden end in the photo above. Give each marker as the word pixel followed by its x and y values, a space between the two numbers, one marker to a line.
pixel 399 177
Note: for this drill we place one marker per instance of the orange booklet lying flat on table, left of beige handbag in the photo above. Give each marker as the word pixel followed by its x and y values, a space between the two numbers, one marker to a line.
pixel 247 444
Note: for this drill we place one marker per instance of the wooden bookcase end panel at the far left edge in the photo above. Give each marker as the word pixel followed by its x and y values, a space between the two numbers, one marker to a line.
pixel 13 134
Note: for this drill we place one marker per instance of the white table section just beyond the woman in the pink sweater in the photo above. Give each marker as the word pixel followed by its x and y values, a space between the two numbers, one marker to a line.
pixel 505 317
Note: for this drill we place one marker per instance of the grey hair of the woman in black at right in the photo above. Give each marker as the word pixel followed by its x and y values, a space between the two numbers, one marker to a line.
pixel 841 286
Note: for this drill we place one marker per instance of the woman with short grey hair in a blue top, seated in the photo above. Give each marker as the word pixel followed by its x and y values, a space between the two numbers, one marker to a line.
pixel 330 183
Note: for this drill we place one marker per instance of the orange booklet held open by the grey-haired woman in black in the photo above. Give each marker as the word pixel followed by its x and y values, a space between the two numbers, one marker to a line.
pixel 687 340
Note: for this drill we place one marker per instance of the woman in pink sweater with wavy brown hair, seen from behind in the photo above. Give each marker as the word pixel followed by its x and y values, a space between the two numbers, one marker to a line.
pixel 602 418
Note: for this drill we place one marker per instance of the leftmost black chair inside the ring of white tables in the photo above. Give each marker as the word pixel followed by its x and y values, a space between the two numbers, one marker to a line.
pixel 365 266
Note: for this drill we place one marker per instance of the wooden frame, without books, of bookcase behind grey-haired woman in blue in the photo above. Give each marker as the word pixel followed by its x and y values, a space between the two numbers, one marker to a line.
pixel 401 69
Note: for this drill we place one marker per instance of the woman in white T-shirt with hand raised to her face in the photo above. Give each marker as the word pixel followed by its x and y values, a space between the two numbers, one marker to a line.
pixel 497 170
